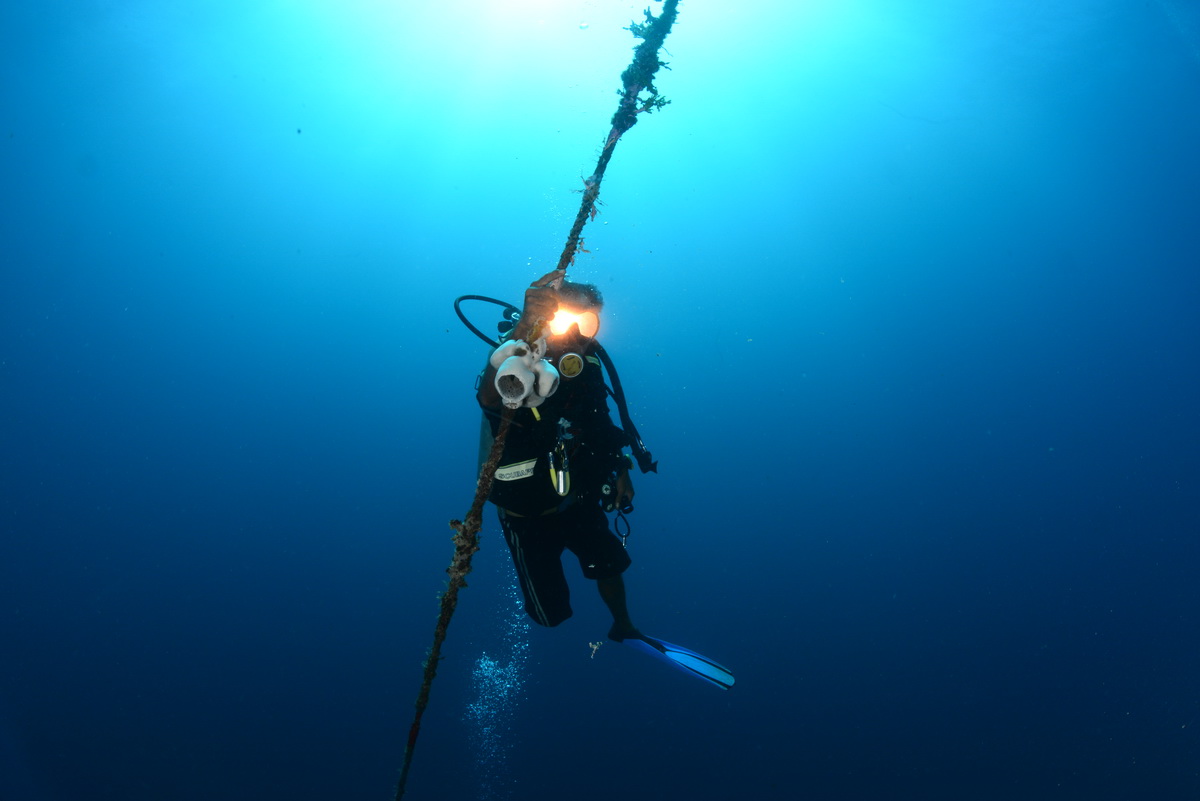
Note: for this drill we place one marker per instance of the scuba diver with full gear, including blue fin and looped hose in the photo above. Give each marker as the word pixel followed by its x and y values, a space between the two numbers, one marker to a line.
pixel 565 468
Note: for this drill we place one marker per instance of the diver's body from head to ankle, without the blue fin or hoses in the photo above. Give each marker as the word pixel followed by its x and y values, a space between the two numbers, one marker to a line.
pixel 550 483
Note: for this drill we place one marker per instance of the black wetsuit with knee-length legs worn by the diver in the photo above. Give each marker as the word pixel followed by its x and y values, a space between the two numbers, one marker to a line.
pixel 538 522
